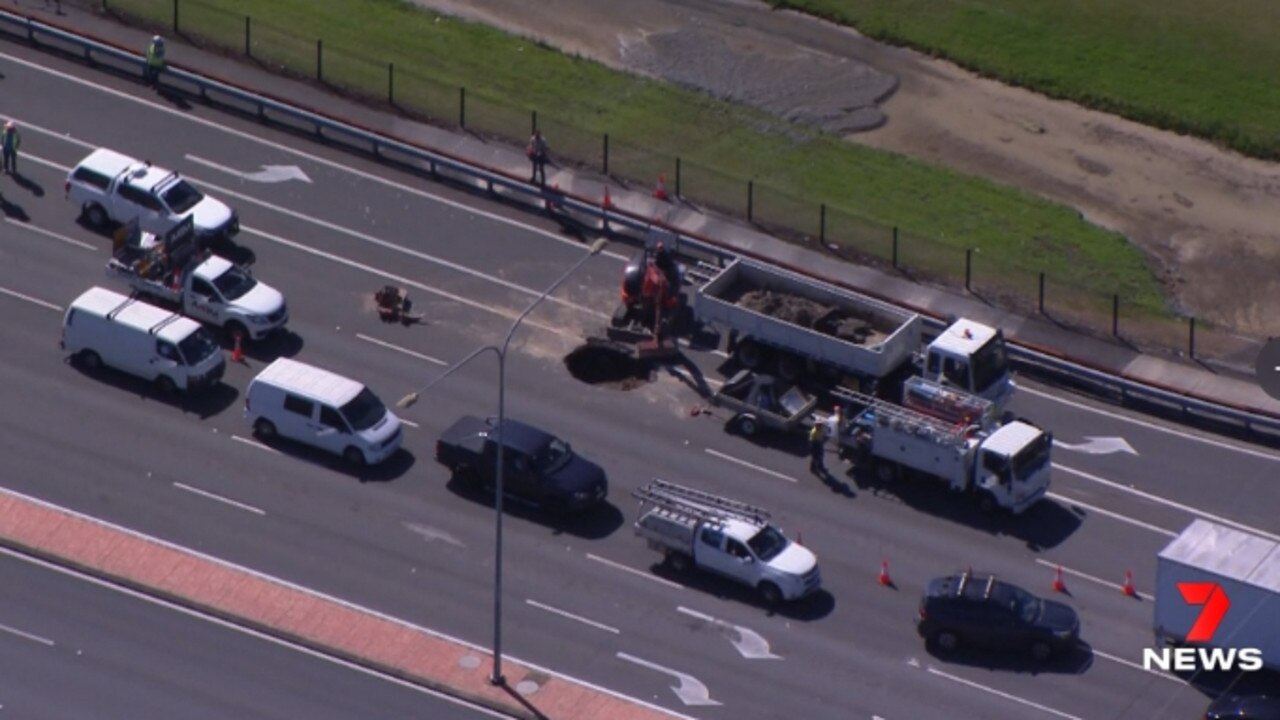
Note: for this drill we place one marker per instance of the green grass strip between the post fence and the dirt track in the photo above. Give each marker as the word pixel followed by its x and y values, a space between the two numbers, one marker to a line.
pixel 721 145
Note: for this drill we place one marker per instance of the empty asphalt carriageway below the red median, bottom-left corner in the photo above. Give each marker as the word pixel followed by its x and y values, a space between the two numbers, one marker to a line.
pixel 72 648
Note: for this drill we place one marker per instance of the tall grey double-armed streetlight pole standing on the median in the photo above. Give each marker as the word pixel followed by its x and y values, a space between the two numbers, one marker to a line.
pixel 496 677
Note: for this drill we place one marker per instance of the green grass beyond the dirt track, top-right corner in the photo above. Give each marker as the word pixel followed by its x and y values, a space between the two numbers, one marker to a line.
pixel 1194 67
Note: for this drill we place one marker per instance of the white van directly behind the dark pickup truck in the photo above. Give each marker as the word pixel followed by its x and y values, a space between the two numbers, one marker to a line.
pixel 301 403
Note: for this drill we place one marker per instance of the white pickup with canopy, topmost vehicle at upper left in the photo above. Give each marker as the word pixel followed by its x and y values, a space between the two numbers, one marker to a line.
pixel 113 188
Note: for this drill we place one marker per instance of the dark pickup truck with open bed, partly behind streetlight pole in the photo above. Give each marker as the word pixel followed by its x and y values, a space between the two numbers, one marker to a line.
pixel 540 468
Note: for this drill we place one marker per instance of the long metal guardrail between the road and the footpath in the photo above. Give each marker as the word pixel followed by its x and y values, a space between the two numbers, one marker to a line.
pixel 268 110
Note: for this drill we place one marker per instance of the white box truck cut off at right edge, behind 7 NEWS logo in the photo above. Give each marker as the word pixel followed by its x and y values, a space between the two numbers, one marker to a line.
pixel 1217 571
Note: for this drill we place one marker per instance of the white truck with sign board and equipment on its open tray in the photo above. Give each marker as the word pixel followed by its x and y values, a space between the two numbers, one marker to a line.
pixel 207 288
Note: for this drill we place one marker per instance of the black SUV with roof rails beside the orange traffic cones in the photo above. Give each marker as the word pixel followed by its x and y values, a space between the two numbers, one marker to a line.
pixel 982 612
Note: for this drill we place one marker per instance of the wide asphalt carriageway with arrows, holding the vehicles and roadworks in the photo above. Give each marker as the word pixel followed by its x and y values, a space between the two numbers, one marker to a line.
pixel 580 598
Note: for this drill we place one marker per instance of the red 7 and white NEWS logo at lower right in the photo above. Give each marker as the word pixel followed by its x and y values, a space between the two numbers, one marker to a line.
pixel 1215 604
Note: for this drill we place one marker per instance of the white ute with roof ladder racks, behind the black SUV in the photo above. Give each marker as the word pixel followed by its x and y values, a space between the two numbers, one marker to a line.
pixel 698 530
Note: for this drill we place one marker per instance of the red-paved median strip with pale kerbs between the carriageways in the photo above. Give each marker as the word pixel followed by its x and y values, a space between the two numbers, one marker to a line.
pixel 310 619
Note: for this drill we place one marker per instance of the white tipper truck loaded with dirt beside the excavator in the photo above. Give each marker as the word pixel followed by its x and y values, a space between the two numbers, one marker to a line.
pixel 802 326
